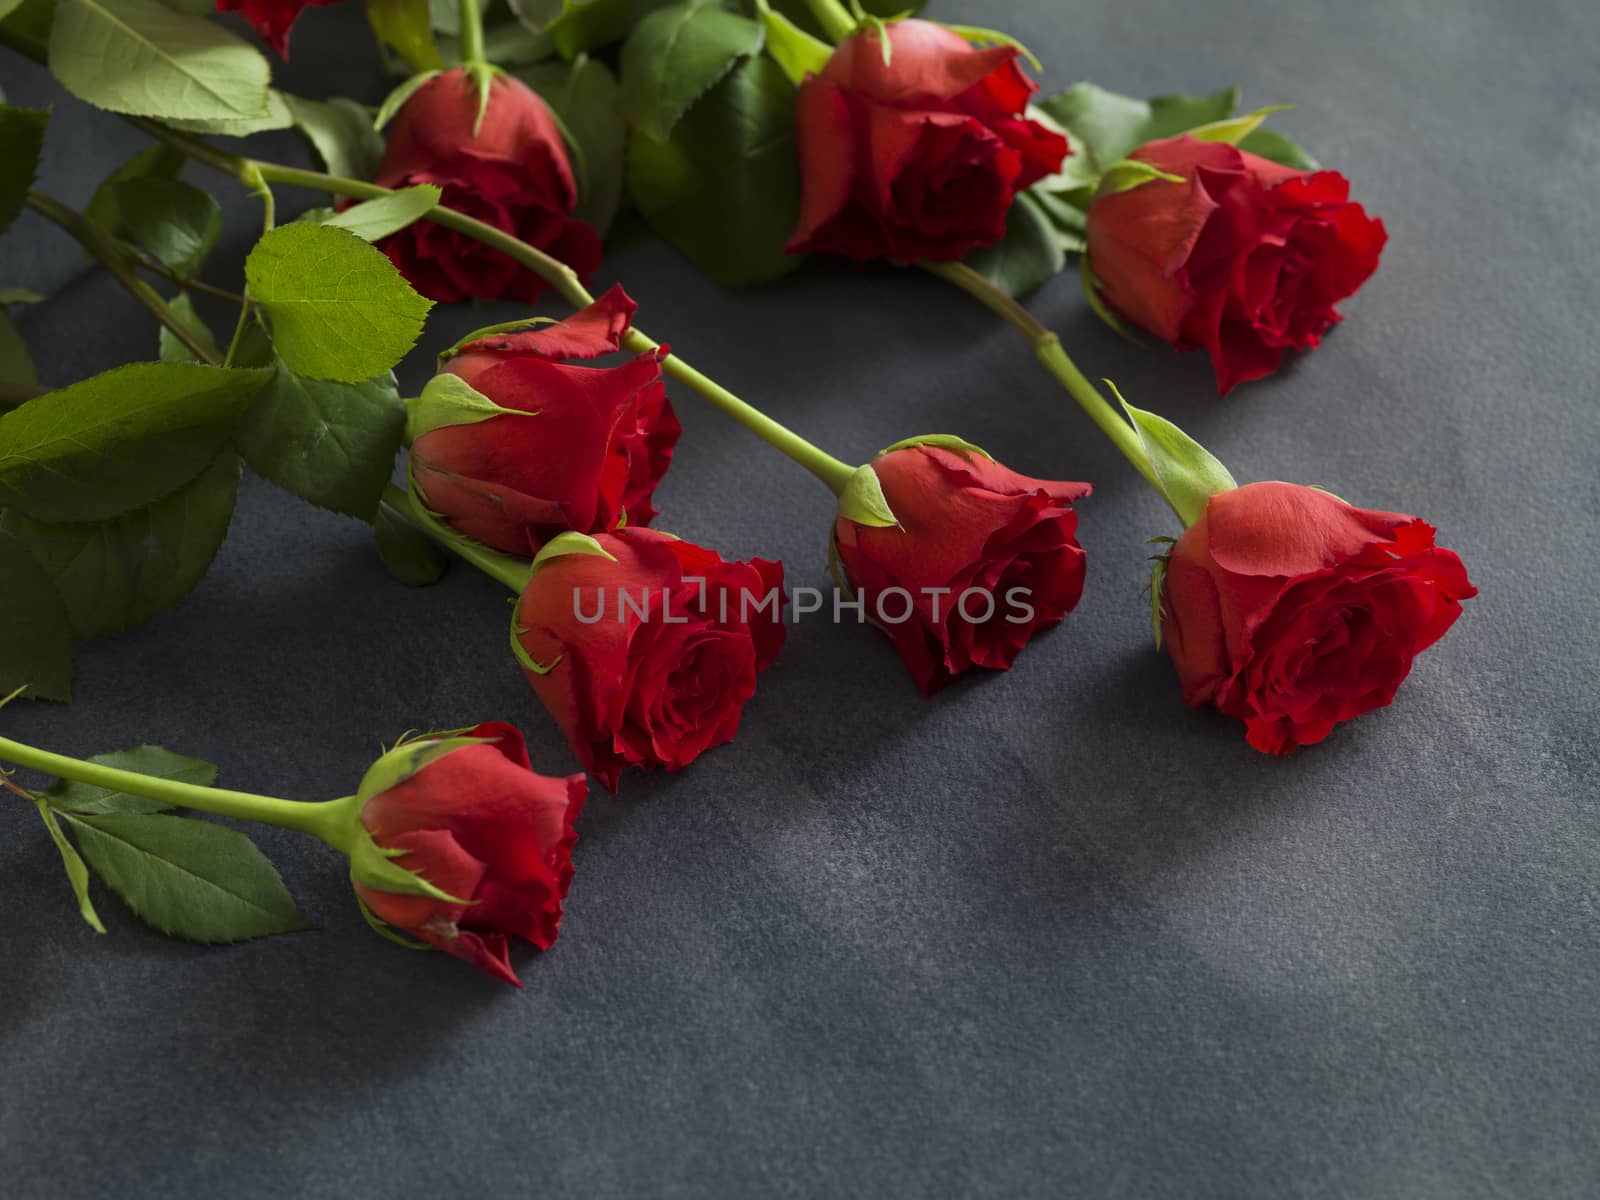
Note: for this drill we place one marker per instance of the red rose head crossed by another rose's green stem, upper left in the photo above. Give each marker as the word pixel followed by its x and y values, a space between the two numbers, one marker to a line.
pixel 511 174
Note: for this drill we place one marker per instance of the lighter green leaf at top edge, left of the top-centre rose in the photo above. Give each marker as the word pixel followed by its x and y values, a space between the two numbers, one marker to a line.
pixel 676 55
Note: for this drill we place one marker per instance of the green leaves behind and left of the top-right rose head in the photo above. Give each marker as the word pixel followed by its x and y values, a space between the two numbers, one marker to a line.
pixel 1047 222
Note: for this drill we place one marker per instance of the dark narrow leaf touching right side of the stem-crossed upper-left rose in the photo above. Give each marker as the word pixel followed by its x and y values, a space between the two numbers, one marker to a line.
pixel 585 98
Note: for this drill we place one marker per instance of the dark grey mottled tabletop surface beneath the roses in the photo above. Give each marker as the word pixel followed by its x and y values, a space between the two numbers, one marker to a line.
pixel 1047 935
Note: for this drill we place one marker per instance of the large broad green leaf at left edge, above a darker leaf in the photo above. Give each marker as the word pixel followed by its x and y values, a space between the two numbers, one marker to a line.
pixel 119 441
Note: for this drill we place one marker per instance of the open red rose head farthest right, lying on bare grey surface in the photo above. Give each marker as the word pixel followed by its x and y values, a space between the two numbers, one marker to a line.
pixel 1294 610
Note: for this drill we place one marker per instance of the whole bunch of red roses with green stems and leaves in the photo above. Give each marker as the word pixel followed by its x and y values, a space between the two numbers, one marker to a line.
pixel 750 137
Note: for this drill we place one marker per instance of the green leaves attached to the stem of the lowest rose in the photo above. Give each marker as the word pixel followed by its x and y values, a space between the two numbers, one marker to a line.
pixel 182 876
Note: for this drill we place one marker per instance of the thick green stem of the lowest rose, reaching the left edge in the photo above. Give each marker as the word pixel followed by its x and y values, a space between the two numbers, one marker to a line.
pixel 332 820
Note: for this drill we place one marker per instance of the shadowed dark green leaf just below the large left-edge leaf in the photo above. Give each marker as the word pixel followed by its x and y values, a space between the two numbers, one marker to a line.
pixel 118 574
